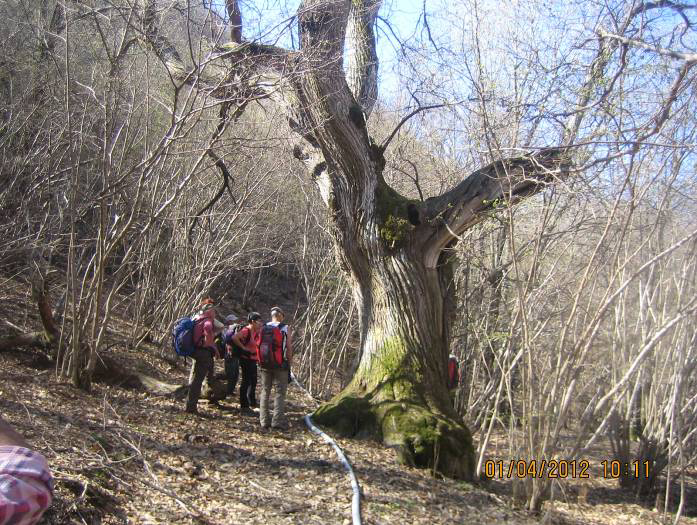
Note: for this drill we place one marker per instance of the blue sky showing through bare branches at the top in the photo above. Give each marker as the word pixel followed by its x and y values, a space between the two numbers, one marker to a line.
pixel 524 45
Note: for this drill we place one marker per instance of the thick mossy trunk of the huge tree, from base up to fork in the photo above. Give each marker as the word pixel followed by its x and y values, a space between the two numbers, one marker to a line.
pixel 398 393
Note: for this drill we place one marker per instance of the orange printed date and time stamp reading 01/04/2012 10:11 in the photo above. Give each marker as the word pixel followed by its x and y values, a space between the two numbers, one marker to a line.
pixel 561 468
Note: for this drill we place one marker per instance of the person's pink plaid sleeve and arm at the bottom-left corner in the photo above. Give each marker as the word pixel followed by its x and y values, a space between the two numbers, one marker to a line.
pixel 26 484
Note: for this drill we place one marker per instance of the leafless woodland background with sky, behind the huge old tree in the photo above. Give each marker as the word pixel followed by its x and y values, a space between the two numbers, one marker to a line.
pixel 133 186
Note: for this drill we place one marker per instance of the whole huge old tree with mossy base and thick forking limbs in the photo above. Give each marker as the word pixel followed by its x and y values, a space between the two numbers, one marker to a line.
pixel 394 249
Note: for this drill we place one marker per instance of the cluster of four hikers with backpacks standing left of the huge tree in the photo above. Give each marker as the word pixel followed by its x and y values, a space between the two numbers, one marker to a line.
pixel 242 346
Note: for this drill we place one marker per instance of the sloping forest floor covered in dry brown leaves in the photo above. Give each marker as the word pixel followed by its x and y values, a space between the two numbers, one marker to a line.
pixel 122 456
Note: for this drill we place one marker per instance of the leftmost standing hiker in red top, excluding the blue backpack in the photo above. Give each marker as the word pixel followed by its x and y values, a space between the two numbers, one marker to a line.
pixel 205 327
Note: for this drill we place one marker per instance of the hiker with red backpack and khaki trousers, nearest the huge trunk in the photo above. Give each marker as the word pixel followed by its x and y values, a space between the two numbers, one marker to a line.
pixel 275 357
